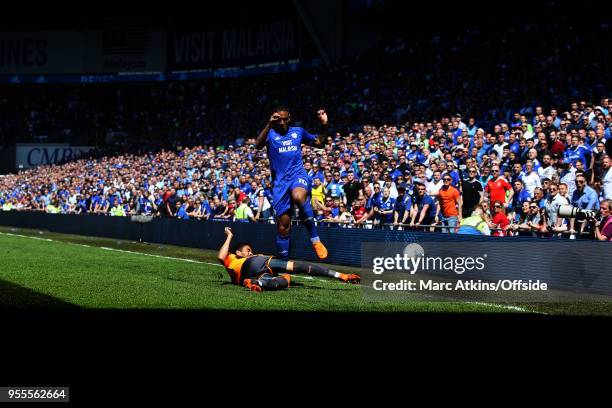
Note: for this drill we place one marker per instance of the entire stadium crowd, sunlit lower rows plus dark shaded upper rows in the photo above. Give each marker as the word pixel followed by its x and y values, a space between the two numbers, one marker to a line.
pixel 533 139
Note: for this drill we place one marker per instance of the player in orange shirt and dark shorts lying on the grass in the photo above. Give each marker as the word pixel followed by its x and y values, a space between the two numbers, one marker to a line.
pixel 264 272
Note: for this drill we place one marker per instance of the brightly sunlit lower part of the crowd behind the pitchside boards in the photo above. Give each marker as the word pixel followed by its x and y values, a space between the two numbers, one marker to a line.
pixel 414 176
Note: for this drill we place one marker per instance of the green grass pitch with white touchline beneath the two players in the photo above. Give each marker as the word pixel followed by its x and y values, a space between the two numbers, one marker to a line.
pixel 48 270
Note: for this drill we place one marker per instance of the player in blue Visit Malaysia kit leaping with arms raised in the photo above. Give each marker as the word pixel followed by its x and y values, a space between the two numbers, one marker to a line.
pixel 291 184
